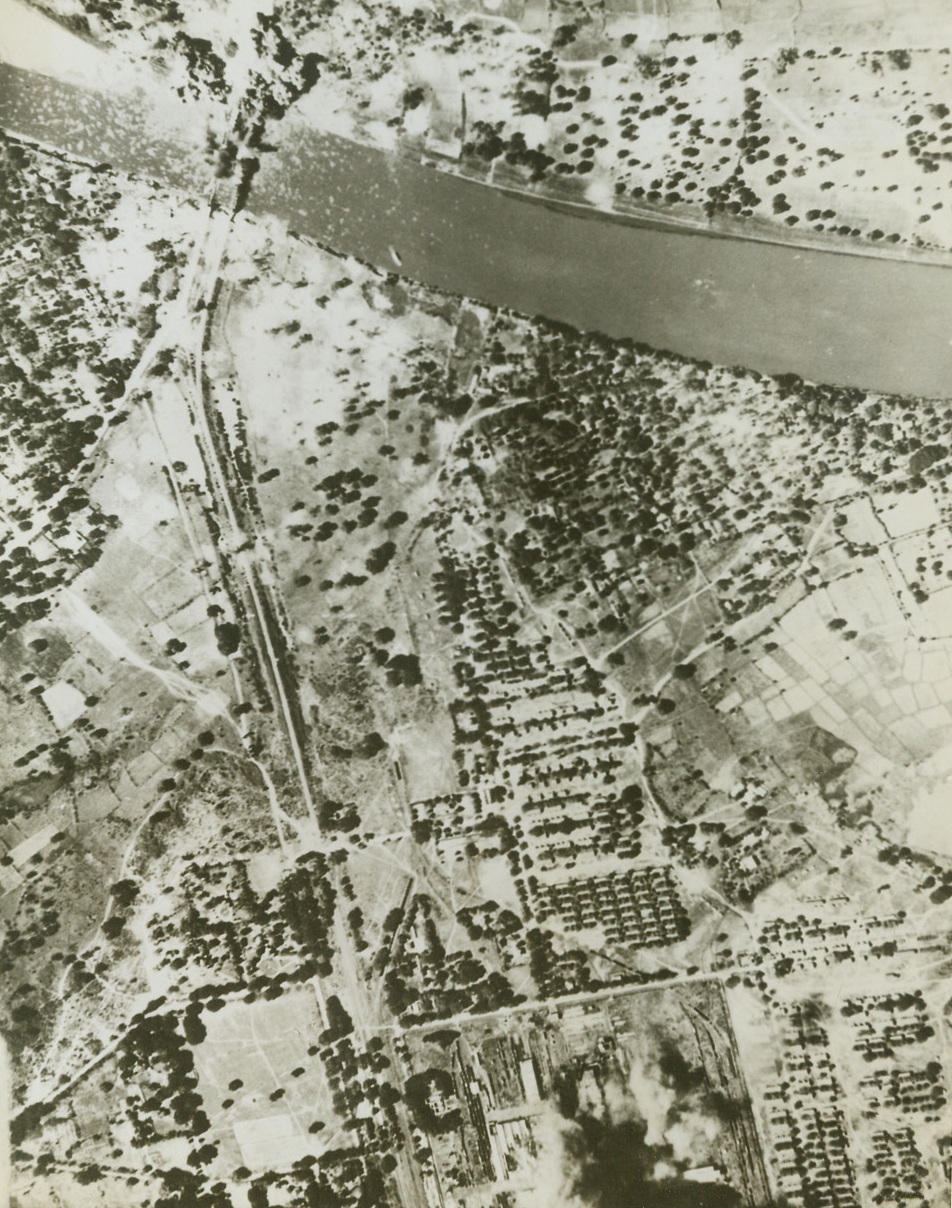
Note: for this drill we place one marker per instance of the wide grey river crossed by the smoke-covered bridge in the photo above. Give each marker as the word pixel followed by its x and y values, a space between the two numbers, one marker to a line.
pixel 883 324
